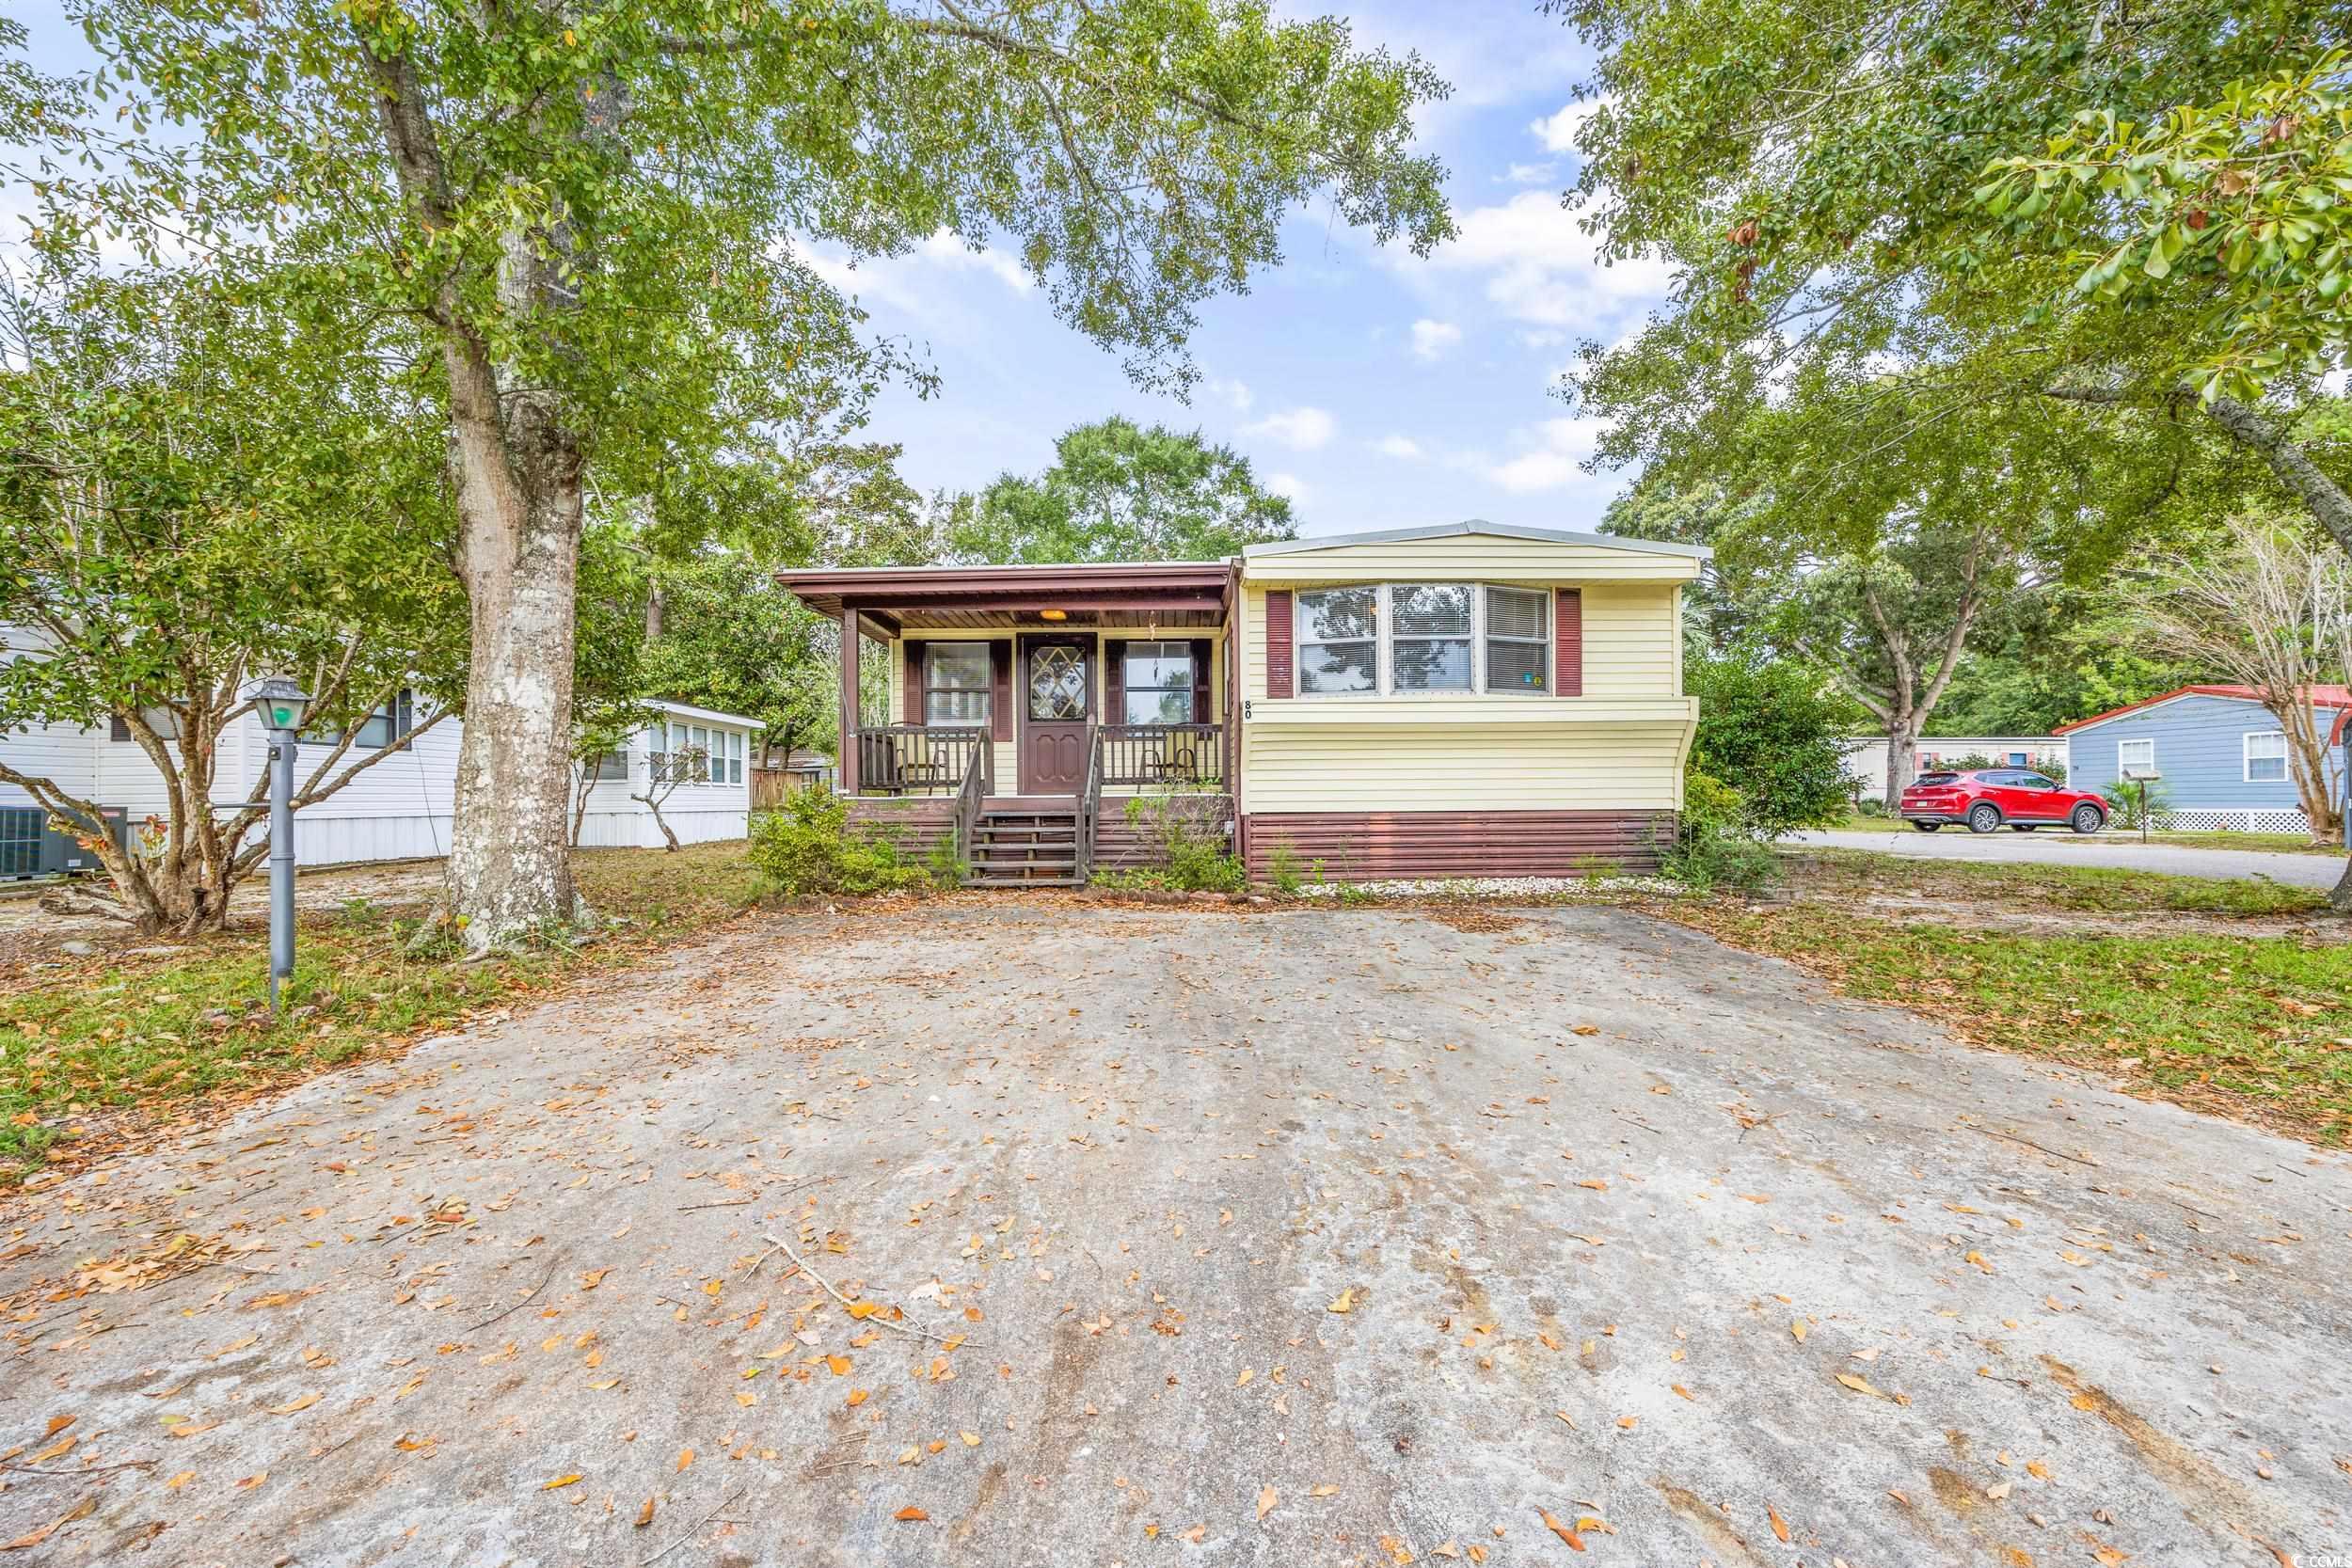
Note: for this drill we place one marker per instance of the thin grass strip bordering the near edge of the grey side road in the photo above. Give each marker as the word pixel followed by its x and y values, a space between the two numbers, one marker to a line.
pixel 2043 887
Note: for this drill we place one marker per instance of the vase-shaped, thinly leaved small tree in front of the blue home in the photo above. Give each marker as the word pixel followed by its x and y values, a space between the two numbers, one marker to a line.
pixel 2271 615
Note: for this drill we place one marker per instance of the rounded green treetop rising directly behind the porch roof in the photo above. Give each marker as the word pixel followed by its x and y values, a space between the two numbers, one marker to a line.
pixel 1121 492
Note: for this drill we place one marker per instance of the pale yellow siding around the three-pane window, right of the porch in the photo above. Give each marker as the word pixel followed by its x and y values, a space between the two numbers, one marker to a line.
pixel 1615 749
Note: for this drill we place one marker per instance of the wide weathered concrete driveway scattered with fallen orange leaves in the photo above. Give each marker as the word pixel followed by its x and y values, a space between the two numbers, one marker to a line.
pixel 1191 1238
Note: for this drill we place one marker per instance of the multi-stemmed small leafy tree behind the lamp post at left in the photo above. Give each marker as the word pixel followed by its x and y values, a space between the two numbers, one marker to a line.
pixel 194 497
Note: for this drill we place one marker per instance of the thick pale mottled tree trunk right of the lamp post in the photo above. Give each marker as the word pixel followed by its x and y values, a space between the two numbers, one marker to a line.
pixel 519 483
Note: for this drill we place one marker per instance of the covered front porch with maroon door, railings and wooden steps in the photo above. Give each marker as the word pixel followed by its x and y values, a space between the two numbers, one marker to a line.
pixel 1015 702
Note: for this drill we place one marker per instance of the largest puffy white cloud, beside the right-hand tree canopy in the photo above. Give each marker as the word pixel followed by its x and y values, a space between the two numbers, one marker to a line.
pixel 1542 267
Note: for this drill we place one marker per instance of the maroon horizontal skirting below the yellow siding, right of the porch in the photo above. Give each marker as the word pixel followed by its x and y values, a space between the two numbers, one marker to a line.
pixel 1377 845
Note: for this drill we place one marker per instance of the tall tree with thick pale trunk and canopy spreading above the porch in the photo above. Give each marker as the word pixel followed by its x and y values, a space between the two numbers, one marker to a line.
pixel 594 215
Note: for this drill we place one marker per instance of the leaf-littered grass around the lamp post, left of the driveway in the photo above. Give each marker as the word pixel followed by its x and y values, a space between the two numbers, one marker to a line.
pixel 114 1033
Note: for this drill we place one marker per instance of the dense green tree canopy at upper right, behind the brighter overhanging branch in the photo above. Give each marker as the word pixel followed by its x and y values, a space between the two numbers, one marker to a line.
pixel 1819 182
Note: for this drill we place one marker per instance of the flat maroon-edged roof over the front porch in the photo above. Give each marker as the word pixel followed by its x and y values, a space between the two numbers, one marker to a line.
pixel 895 598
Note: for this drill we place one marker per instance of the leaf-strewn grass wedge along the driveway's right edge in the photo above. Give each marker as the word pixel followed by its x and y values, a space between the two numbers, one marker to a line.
pixel 2254 1026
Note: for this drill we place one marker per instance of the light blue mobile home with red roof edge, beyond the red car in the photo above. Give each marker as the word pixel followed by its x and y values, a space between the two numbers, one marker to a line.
pixel 2217 749
